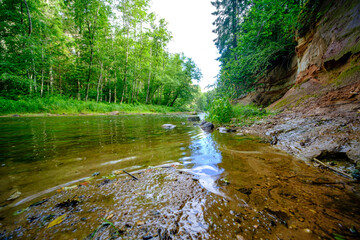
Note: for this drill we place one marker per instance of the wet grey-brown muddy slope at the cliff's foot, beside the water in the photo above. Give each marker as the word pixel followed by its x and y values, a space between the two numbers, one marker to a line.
pixel 329 133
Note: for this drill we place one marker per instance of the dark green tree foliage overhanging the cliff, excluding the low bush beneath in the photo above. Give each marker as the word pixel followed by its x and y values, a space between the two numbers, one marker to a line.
pixel 264 37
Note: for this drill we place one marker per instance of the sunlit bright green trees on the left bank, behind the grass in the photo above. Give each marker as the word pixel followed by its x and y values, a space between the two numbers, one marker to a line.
pixel 94 50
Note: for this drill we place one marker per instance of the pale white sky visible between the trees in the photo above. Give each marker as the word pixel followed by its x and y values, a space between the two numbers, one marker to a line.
pixel 190 22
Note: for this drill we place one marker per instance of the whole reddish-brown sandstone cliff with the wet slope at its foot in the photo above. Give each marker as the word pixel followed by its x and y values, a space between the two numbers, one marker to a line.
pixel 318 90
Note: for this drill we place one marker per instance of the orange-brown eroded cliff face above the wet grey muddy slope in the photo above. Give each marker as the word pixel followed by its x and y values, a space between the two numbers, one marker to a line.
pixel 327 59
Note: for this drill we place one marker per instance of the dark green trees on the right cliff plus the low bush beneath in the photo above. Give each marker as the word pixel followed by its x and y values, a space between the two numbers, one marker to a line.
pixel 253 37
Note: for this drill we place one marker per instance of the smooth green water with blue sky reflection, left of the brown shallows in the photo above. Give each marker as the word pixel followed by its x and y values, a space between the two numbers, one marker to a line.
pixel 41 153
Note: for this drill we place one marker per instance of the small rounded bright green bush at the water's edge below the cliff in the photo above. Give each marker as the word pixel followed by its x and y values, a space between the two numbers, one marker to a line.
pixel 220 111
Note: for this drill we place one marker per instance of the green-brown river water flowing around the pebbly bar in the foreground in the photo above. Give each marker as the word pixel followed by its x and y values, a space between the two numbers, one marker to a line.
pixel 42 154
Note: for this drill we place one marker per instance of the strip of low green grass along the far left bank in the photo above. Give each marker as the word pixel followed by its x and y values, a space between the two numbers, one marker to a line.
pixel 64 105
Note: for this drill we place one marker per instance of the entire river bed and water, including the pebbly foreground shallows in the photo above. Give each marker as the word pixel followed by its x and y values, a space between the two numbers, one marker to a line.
pixel 127 177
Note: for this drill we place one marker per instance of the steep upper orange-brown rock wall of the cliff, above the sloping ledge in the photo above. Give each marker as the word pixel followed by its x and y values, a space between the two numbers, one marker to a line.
pixel 332 43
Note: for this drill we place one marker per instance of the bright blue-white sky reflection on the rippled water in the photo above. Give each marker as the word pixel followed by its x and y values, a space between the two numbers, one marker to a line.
pixel 204 159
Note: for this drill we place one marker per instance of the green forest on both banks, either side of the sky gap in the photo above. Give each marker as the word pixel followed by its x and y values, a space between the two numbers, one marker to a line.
pixel 106 51
